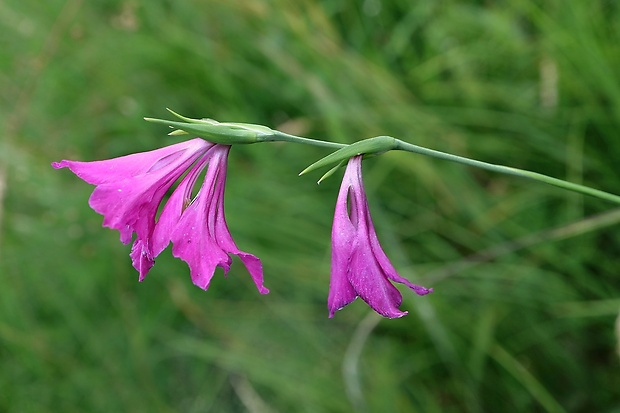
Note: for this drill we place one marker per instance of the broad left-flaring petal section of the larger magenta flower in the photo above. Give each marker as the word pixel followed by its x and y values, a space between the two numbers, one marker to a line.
pixel 129 190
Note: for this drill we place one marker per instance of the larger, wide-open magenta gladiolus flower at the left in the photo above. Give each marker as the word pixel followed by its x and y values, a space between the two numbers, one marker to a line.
pixel 130 189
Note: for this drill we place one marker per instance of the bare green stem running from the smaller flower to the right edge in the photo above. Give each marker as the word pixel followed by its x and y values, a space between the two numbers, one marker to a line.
pixel 404 146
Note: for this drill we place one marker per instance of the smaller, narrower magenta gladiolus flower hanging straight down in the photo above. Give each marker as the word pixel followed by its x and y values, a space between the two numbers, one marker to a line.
pixel 360 268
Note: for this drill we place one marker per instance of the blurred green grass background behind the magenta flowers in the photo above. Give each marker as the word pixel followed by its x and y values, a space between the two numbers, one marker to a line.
pixel 525 275
